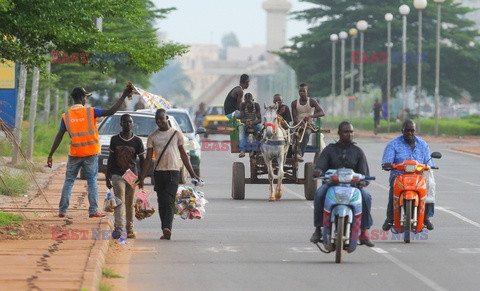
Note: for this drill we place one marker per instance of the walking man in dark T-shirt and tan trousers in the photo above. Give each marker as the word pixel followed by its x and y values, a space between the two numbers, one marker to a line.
pixel 124 149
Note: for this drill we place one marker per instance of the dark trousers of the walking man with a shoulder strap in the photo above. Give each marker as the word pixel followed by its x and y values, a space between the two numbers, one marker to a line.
pixel 166 184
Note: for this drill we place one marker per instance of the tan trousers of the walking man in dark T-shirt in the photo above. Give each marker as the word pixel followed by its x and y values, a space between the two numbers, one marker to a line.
pixel 126 193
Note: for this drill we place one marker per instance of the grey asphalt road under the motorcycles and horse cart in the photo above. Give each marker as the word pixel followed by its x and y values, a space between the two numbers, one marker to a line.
pixel 259 245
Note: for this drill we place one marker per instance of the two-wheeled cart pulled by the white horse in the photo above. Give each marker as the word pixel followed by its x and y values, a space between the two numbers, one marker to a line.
pixel 259 169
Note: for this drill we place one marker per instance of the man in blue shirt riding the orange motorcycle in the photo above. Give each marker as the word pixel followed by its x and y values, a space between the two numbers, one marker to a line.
pixel 406 147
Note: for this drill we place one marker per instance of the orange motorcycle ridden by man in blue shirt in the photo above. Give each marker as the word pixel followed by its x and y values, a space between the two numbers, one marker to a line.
pixel 409 195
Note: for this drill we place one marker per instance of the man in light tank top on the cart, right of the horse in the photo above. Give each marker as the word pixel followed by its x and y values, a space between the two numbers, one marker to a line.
pixel 305 109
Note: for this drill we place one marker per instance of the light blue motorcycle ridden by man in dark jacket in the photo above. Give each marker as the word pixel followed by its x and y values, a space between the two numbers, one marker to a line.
pixel 342 214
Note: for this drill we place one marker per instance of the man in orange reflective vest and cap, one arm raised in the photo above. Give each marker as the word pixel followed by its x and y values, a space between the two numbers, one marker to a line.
pixel 80 122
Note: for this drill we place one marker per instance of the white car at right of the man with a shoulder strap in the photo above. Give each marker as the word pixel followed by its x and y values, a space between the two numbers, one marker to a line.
pixel 192 133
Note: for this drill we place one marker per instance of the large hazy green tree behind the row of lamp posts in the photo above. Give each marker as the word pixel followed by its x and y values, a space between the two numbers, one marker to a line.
pixel 310 54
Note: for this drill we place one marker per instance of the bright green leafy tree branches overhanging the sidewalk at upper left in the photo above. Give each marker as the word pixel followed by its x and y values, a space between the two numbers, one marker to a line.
pixel 44 26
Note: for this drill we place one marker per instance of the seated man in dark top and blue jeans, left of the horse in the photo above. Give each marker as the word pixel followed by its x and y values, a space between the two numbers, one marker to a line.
pixel 250 117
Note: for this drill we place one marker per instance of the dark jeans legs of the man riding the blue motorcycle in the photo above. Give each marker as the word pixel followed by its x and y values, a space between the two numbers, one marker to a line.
pixel 319 203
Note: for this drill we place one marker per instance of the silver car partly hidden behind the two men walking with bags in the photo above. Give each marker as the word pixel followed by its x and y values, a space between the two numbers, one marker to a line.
pixel 143 125
